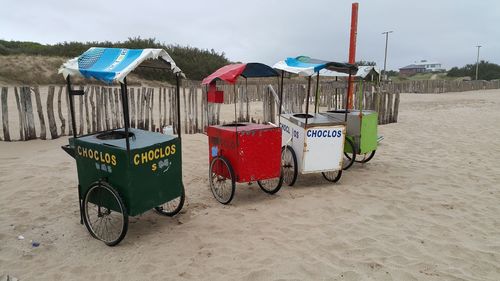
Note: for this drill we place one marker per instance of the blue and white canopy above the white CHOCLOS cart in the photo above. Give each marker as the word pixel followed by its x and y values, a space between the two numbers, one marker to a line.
pixel 306 66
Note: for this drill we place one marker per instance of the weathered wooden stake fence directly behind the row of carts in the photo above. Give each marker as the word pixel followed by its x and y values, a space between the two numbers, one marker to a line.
pixel 152 108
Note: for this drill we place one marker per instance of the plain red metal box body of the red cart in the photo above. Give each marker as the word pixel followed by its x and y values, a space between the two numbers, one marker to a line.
pixel 254 150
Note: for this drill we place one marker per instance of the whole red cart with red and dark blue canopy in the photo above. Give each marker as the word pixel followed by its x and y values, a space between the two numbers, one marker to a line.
pixel 241 151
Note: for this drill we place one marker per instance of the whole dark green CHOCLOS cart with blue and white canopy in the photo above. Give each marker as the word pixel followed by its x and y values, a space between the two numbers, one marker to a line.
pixel 123 172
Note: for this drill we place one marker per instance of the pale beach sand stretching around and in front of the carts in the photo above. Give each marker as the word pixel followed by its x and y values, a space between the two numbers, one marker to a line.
pixel 427 207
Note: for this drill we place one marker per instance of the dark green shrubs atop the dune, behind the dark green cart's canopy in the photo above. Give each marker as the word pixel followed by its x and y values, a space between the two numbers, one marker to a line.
pixel 196 63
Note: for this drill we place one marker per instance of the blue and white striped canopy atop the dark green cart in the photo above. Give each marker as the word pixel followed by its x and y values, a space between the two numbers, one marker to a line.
pixel 114 64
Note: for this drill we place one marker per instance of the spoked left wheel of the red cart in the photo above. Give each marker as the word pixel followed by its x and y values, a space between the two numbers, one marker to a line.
pixel 222 190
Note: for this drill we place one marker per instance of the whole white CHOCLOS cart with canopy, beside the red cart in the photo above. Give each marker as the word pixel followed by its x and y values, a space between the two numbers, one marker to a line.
pixel 312 142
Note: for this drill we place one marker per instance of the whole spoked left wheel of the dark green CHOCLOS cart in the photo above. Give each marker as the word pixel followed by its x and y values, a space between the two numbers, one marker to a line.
pixel 105 214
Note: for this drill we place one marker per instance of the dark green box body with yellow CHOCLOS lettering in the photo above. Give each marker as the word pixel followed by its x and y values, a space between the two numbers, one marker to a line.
pixel 147 177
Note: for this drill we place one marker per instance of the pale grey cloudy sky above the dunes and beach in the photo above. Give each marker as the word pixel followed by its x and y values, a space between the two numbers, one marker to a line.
pixel 270 30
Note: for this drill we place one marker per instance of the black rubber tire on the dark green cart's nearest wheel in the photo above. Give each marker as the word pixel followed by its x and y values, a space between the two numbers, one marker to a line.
pixel 105 187
